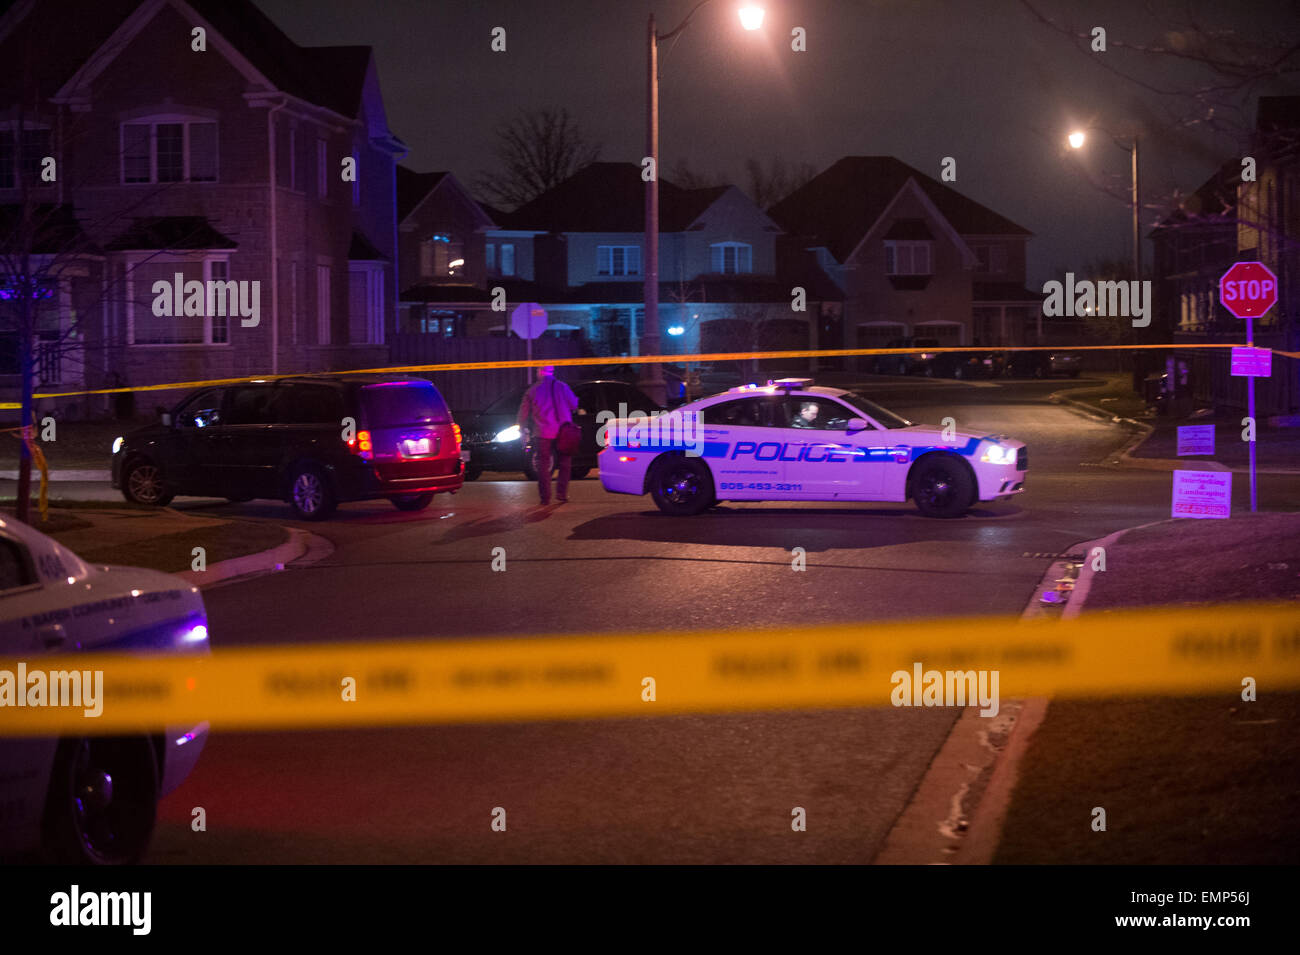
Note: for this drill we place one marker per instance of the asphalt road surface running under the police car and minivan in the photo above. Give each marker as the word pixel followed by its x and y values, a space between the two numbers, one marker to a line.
pixel 716 789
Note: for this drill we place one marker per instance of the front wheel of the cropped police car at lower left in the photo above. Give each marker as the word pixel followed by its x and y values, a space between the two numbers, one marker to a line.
pixel 102 802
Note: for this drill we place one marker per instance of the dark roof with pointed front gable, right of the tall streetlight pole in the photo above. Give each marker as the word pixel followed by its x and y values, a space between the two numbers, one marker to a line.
pixel 843 203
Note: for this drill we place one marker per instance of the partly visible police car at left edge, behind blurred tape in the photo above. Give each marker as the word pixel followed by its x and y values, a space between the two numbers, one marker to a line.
pixel 88 800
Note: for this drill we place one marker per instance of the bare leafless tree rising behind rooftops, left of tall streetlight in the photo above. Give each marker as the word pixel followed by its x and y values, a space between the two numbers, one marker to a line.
pixel 535 151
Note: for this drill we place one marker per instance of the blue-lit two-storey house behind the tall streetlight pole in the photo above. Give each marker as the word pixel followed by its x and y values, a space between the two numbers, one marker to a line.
pixel 725 277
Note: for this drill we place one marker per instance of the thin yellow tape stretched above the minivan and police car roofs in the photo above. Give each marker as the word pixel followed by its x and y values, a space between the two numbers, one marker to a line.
pixel 623 361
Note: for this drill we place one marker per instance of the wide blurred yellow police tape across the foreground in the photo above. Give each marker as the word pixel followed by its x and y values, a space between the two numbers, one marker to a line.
pixel 1208 650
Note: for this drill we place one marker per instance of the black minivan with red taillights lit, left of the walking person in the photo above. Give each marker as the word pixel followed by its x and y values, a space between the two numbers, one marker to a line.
pixel 311 442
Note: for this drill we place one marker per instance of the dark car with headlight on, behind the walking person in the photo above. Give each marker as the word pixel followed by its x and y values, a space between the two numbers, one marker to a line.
pixel 496 442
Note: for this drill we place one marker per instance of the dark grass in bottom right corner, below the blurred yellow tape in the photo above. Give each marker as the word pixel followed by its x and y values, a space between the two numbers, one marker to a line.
pixel 1184 782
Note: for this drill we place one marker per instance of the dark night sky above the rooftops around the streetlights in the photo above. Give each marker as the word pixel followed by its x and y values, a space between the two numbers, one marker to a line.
pixel 920 80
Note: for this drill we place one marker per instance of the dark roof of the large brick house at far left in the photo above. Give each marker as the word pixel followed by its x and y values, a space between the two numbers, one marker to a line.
pixel 68 34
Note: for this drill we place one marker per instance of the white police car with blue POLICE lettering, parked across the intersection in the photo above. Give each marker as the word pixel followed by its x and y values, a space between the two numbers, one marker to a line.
pixel 795 441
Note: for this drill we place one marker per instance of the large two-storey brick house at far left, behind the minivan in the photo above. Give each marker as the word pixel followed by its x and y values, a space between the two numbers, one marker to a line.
pixel 220 164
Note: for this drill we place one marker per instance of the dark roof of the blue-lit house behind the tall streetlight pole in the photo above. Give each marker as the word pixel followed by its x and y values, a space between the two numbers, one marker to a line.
pixel 609 198
